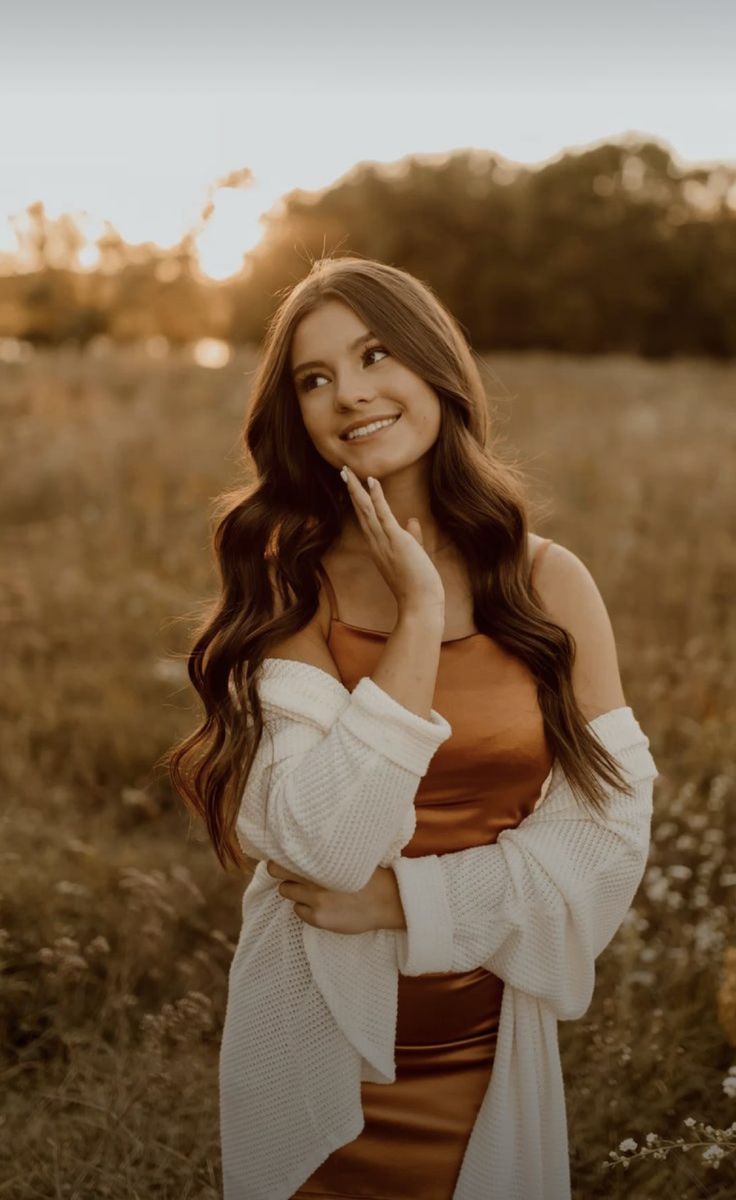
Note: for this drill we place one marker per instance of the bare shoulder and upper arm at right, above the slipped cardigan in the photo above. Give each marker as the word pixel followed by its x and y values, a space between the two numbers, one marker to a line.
pixel 572 599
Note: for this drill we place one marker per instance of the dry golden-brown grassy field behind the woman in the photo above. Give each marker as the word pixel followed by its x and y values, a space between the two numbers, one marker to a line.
pixel 118 926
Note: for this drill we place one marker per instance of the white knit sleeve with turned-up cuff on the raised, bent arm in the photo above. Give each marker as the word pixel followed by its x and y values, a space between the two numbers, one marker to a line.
pixel 331 793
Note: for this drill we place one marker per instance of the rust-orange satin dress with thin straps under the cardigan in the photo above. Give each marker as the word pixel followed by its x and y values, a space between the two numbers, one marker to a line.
pixel 486 778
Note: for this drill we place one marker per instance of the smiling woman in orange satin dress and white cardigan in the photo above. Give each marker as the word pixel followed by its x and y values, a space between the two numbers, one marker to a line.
pixel 451 809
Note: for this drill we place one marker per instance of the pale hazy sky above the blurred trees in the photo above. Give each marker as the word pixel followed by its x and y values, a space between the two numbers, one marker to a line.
pixel 133 113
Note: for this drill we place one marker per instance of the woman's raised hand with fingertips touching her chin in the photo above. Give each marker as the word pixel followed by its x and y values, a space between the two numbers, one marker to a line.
pixel 398 554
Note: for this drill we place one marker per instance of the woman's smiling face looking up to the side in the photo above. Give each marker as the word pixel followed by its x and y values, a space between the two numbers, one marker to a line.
pixel 343 376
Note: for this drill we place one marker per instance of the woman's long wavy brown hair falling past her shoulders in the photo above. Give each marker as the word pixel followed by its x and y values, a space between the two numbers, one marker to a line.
pixel 274 532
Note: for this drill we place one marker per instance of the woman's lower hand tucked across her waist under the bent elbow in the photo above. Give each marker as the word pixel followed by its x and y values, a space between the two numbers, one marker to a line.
pixel 376 907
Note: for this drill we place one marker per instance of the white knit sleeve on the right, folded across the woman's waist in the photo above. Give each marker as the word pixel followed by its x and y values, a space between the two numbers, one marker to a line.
pixel 541 904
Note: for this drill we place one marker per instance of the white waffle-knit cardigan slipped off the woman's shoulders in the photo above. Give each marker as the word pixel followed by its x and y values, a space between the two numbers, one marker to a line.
pixel 313 1013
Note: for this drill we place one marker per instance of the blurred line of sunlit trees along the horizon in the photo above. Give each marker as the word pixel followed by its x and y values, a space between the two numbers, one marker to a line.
pixel 611 249
